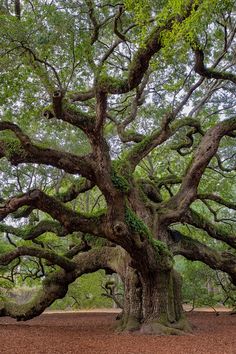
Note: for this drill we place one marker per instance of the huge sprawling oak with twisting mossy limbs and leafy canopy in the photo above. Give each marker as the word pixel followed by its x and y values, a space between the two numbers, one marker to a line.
pixel 135 102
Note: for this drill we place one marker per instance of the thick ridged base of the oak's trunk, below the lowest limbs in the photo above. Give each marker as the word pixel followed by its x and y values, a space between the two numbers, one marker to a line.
pixel 153 303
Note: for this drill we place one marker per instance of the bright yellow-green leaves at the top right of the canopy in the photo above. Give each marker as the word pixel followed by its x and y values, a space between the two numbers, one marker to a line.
pixel 188 32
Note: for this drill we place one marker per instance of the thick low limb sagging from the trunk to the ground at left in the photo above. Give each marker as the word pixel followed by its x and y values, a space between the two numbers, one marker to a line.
pixel 55 285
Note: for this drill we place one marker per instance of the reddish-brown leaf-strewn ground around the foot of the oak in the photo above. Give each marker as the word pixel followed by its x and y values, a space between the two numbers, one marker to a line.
pixel 85 333
